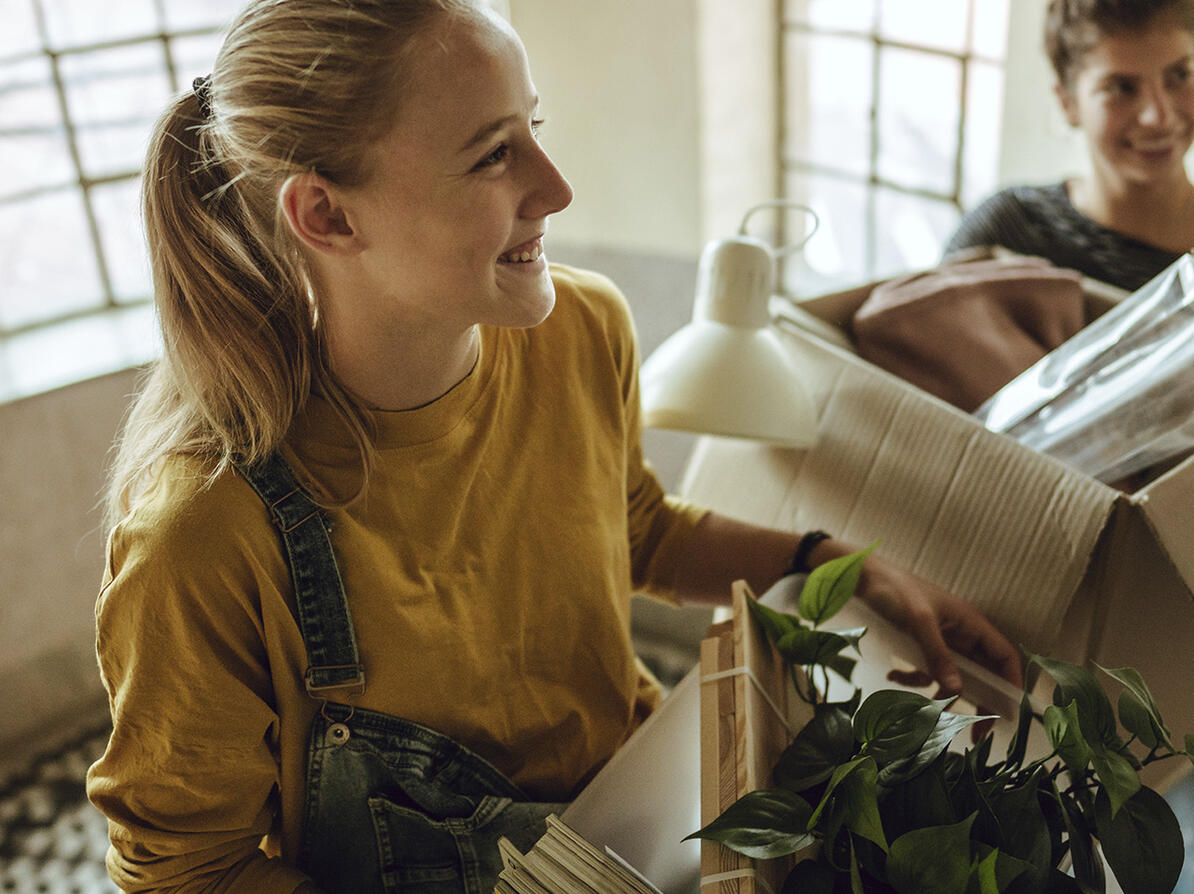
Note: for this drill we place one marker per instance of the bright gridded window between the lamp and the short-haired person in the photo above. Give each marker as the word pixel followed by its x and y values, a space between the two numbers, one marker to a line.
pixel 890 126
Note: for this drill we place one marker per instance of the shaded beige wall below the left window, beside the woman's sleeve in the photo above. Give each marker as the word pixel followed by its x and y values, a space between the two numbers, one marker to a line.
pixel 52 473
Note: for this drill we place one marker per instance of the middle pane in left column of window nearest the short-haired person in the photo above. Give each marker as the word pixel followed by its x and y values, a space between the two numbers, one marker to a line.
pixel 829 102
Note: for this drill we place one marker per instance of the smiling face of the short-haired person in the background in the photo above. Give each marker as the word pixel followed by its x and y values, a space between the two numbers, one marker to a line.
pixel 1134 98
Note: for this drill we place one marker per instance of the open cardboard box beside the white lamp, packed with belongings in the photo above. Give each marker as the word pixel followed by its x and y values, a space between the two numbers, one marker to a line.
pixel 1066 565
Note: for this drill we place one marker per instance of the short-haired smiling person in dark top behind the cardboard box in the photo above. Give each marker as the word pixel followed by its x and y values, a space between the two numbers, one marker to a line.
pixel 1125 77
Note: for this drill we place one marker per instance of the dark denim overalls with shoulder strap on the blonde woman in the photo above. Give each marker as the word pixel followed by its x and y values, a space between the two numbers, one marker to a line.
pixel 392 806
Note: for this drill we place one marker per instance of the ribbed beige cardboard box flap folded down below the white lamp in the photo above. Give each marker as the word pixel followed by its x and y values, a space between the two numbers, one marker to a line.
pixel 1000 525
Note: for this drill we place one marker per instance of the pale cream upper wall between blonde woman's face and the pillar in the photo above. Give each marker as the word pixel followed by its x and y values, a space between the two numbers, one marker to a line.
pixel 619 88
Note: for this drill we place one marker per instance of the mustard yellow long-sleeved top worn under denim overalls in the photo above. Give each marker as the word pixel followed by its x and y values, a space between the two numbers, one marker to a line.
pixel 489 571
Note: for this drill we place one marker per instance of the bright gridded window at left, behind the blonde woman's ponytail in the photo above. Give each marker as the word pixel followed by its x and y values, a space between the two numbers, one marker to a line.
pixel 82 85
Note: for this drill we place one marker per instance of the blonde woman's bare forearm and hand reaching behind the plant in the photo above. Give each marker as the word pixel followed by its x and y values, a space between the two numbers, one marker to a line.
pixel 722 551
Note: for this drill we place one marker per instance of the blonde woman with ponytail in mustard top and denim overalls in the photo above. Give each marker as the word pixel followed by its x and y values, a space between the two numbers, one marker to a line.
pixel 380 508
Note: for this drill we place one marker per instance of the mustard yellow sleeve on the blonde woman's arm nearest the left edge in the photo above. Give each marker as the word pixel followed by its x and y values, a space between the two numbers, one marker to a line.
pixel 189 780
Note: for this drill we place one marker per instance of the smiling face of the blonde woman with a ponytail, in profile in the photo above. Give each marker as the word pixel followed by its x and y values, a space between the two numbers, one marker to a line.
pixel 456 207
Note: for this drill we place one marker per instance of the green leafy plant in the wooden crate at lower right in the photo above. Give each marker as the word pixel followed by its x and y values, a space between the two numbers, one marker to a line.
pixel 870 788
